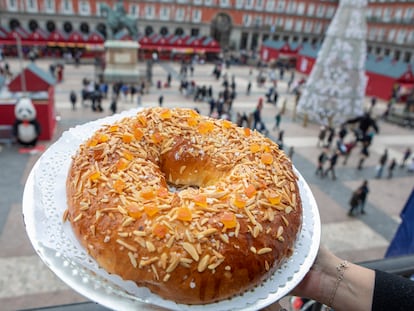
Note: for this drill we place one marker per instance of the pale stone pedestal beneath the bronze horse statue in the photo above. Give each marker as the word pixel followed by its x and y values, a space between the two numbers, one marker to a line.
pixel 121 62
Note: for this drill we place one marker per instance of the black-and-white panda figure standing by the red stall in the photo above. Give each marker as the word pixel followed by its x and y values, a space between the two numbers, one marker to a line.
pixel 26 128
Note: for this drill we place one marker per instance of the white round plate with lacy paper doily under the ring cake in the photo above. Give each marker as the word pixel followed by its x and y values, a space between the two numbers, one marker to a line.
pixel 44 201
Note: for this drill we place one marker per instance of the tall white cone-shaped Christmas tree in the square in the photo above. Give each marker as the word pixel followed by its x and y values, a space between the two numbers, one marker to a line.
pixel 335 88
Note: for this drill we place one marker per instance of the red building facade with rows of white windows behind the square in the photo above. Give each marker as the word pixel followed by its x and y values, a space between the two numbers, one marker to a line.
pixel 235 24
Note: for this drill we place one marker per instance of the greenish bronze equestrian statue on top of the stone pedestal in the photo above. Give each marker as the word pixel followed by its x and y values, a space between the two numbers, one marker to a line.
pixel 117 19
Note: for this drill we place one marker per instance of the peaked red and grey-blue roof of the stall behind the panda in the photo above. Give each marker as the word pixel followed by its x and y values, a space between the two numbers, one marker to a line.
pixel 36 80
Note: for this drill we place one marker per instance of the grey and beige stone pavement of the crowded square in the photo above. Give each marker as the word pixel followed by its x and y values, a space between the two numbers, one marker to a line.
pixel 25 282
